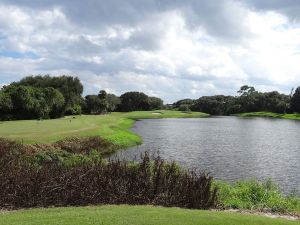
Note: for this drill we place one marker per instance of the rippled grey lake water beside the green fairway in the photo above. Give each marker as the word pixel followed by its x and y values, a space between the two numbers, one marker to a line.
pixel 230 148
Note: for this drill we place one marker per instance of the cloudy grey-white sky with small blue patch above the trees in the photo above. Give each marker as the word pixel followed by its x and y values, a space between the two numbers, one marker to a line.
pixel 172 49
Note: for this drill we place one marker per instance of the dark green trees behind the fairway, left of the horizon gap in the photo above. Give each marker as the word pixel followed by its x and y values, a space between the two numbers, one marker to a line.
pixel 42 97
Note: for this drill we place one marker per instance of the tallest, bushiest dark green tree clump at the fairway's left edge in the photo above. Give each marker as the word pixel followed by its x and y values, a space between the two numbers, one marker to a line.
pixel 37 97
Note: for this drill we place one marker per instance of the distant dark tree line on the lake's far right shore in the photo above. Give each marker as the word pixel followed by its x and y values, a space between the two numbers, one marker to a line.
pixel 247 100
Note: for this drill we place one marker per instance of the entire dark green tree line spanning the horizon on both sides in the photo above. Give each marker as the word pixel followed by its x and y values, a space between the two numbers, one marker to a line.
pixel 42 97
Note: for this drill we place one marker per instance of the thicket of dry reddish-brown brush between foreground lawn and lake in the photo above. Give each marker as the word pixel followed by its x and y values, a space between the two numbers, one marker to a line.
pixel 54 180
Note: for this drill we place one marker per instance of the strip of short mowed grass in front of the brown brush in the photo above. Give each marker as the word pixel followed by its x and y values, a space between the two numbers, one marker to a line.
pixel 133 215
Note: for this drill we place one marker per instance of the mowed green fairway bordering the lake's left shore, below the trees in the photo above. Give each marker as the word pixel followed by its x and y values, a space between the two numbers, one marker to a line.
pixel 113 127
